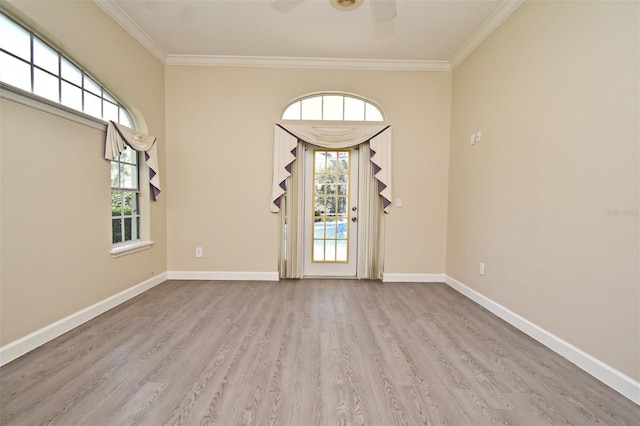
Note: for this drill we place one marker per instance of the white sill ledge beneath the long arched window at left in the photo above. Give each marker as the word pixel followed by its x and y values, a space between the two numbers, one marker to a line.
pixel 34 101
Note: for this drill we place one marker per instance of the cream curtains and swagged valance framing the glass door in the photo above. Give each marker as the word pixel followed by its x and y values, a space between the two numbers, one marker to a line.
pixel 374 194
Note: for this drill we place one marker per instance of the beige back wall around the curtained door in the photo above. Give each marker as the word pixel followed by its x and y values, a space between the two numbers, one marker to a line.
pixel 220 136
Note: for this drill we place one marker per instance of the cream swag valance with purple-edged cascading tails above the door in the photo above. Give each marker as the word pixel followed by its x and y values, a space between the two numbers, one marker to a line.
pixel 335 137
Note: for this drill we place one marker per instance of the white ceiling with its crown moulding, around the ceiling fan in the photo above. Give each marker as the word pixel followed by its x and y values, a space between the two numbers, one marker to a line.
pixel 425 34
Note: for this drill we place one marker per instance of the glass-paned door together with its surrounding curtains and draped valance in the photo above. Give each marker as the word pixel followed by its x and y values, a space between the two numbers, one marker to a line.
pixel 332 219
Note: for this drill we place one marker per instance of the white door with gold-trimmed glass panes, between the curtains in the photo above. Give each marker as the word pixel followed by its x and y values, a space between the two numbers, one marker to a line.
pixel 330 212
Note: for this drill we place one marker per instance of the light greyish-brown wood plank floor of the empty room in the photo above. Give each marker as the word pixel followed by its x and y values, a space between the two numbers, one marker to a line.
pixel 310 352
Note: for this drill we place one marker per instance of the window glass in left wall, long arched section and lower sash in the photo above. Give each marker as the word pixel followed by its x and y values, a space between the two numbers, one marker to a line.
pixel 30 64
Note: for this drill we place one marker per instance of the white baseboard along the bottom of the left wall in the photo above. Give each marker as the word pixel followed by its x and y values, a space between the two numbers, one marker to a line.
pixel 19 347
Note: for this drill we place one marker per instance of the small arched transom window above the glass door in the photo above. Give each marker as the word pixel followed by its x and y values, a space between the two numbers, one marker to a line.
pixel 332 107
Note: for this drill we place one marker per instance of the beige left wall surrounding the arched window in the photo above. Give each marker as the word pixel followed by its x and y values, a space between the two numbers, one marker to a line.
pixel 55 221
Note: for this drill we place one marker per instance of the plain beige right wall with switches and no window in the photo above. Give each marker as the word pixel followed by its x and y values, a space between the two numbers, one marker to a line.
pixel 555 92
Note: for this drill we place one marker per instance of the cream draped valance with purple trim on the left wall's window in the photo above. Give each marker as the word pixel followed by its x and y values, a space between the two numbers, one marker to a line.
pixel 119 136
